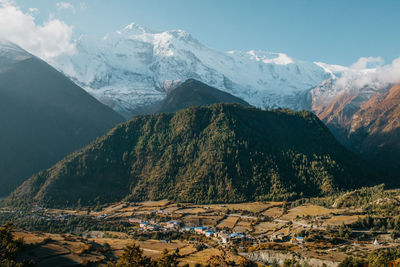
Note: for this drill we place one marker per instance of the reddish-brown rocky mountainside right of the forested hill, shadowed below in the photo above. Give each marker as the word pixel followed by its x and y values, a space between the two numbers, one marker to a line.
pixel 368 122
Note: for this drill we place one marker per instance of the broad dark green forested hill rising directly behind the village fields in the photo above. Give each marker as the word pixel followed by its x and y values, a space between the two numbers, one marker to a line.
pixel 218 153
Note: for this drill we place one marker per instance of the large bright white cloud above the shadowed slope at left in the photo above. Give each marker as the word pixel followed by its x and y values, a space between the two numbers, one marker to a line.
pixel 47 40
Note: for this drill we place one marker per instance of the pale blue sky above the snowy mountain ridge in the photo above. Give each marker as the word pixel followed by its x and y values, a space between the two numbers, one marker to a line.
pixel 335 32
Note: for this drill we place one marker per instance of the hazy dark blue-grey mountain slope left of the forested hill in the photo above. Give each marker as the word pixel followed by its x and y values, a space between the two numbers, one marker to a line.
pixel 43 116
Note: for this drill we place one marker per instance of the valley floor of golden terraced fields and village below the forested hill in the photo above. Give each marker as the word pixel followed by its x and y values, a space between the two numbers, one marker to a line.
pixel 260 231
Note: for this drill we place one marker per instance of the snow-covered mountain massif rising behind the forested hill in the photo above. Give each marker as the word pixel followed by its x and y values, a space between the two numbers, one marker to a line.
pixel 136 66
